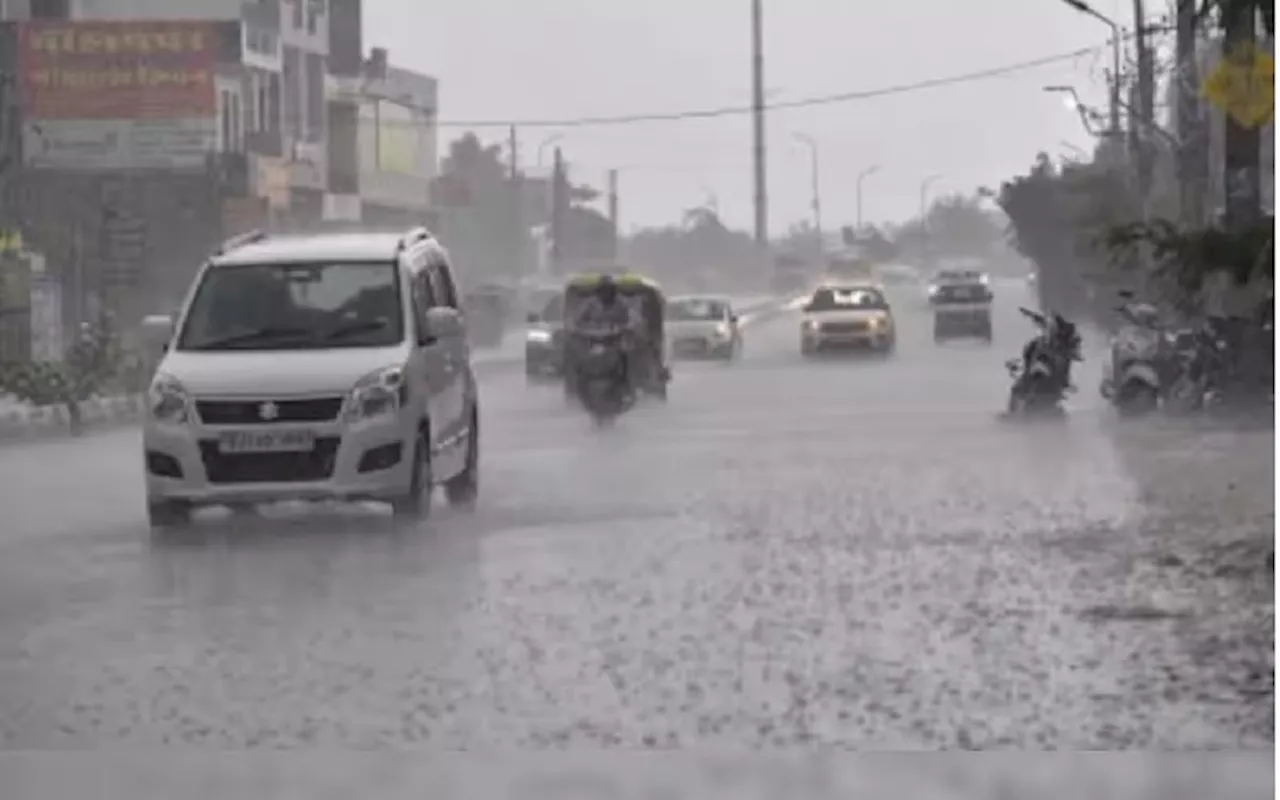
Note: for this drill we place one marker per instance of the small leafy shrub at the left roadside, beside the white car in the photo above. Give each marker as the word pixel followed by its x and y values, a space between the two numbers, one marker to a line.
pixel 86 369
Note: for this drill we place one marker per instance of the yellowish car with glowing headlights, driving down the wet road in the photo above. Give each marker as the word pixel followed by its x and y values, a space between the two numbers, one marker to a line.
pixel 848 317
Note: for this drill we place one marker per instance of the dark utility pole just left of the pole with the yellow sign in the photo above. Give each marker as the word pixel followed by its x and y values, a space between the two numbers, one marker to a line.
pixel 1192 132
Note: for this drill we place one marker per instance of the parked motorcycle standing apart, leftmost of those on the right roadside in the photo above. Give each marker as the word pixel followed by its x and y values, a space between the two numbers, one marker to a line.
pixel 1044 376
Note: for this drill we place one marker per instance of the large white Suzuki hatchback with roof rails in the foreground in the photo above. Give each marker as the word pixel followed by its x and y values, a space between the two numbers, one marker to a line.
pixel 331 367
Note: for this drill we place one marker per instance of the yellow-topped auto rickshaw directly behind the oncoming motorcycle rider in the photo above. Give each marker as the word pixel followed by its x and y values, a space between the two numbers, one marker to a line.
pixel 652 371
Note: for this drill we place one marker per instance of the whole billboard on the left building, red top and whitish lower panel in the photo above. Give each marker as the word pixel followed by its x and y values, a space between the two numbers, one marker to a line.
pixel 118 95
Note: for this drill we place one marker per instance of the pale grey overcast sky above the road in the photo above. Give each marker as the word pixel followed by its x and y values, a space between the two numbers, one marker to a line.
pixel 502 60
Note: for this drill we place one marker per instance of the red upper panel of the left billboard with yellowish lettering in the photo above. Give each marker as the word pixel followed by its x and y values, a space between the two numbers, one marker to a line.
pixel 131 70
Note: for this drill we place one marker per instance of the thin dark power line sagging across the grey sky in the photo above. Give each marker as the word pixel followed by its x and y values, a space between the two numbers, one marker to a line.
pixel 902 89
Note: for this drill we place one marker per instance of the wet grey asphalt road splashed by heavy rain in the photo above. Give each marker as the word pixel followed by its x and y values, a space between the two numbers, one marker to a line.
pixel 851 552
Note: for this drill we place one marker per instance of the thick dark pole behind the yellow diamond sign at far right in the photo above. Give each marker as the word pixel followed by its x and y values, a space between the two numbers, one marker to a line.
pixel 1244 145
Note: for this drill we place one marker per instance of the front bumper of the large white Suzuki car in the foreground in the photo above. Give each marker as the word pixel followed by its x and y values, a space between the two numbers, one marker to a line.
pixel 364 460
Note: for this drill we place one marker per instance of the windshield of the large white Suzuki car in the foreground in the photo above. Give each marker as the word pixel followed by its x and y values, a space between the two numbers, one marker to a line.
pixel 295 307
